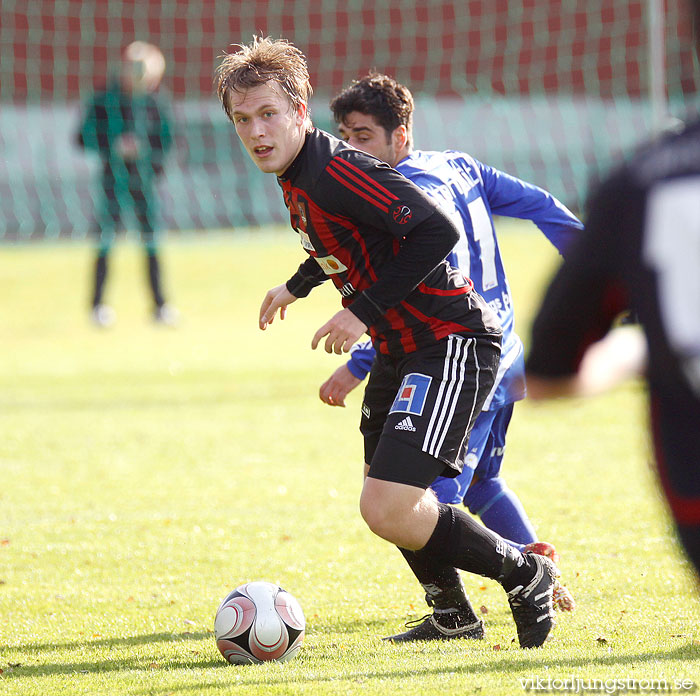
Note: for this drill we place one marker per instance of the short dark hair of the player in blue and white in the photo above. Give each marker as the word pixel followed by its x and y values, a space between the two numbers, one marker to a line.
pixel 380 96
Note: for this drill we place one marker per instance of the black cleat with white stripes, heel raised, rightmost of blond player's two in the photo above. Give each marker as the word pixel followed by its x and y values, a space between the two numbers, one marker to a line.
pixel 531 604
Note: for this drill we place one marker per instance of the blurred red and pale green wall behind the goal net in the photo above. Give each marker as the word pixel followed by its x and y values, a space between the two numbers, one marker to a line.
pixel 548 90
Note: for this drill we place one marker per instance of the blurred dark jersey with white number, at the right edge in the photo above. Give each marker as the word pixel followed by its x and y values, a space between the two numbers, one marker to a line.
pixel 640 251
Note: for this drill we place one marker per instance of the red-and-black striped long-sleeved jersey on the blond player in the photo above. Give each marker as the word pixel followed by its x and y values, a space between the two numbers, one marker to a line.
pixel 382 242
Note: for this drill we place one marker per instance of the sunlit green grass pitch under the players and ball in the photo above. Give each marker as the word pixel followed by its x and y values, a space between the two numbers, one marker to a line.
pixel 145 472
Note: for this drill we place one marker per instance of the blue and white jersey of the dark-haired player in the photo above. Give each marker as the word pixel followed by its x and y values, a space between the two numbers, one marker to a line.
pixel 471 193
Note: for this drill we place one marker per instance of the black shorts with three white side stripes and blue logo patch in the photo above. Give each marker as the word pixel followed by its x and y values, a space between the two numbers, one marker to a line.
pixel 419 409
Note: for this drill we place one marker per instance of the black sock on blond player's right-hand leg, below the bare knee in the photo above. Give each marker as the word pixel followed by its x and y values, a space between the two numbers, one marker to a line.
pixel 461 542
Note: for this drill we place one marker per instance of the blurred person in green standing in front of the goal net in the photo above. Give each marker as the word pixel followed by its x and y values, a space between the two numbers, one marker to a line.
pixel 128 124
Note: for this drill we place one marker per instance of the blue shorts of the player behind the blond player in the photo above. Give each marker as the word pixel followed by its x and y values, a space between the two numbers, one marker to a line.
pixel 484 455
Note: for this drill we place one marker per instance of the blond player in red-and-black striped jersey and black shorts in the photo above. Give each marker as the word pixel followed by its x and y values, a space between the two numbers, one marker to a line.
pixel 383 242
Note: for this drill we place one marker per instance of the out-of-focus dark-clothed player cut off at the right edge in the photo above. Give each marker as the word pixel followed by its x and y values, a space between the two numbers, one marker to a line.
pixel 641 249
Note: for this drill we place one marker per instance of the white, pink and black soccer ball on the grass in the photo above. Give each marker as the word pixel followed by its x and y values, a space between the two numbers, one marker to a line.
pixel 259 622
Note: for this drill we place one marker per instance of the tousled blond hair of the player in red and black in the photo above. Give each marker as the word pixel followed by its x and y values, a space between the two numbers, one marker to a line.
pixel 263 60
